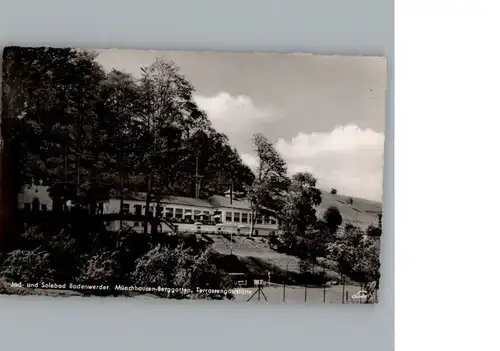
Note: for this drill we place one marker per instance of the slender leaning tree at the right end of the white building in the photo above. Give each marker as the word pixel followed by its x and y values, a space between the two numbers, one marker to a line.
pixel 268 191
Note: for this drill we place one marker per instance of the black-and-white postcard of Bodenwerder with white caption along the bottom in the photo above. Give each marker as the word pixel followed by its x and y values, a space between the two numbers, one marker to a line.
pixel 243 177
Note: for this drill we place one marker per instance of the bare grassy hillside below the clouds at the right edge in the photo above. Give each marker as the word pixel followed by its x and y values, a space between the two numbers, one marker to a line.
pixel 366 211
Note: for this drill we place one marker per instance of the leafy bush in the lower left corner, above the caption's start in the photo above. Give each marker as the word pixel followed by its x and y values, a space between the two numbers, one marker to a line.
pixel 28 266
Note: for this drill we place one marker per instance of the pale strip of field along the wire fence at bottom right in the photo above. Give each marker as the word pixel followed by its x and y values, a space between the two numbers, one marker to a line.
pixel 296 294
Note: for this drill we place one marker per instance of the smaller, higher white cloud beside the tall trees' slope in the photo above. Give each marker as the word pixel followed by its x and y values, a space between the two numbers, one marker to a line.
pixel 234 114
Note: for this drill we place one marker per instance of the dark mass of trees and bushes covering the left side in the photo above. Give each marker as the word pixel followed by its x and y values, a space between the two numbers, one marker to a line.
pixel 86 134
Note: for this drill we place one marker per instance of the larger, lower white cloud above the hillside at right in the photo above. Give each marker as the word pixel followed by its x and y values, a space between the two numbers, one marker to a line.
pixel 348 158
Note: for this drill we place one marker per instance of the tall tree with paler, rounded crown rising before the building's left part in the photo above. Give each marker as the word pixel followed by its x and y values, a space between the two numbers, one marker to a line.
pixel 168 113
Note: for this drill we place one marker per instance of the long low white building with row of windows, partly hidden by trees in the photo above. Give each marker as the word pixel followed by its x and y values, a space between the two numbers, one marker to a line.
pixel 215 214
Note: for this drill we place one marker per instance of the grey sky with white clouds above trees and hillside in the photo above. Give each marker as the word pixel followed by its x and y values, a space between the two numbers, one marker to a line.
pixel 324 114
